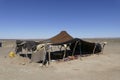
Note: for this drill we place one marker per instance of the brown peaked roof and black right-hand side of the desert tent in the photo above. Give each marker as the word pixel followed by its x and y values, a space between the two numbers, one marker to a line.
pixel 75 44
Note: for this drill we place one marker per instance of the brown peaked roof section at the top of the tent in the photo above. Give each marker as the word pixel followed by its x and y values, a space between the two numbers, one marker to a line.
pixel 62 37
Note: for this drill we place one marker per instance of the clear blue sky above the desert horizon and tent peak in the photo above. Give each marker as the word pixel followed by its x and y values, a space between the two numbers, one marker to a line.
pixel 46 18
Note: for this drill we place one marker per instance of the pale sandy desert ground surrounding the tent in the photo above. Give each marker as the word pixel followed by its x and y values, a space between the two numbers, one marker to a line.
pixel 105 66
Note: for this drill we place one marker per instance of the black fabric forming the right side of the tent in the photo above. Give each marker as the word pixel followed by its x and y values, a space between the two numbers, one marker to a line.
pixel 83 47
